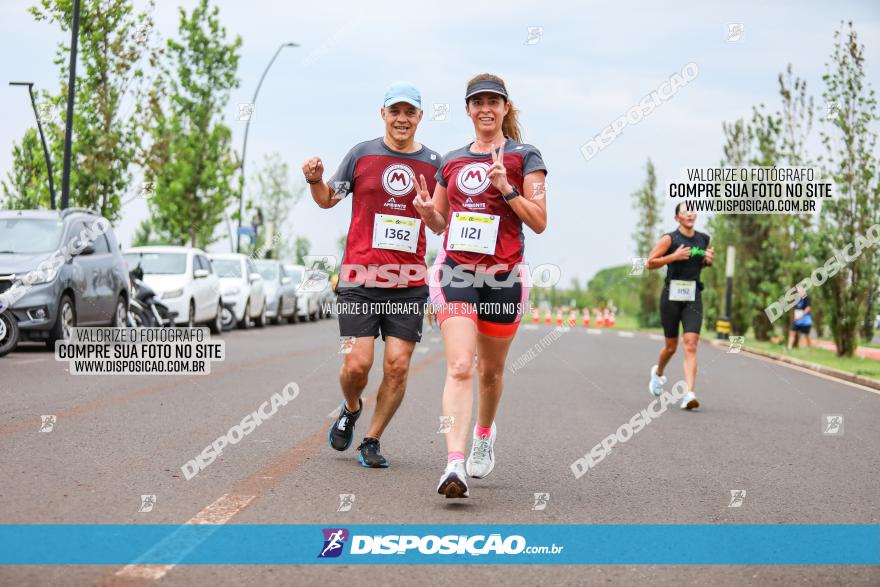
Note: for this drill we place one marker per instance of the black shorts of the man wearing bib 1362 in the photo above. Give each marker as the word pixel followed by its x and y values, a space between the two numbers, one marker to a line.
pixel 370 311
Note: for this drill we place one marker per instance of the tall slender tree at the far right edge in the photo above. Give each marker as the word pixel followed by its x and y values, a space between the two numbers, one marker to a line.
pixel 849 141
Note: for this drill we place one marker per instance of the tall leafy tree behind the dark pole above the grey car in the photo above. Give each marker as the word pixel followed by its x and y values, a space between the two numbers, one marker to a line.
pixel 113 41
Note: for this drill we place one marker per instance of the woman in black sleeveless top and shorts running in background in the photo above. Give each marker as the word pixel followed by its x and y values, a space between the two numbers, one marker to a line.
pixel 686 252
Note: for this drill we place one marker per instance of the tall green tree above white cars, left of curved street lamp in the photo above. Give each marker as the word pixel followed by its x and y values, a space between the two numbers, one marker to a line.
pixel 191 160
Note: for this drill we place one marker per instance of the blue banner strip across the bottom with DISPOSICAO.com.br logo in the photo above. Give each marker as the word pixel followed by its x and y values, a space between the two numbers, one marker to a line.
pixel 612 544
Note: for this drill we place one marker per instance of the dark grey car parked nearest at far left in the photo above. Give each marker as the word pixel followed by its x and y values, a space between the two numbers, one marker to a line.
pixel 60 269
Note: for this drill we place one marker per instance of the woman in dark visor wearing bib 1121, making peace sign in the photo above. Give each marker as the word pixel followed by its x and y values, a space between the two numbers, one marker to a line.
pixel 485 192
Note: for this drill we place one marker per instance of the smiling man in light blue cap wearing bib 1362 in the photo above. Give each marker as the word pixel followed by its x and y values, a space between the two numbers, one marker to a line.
pixel 381 286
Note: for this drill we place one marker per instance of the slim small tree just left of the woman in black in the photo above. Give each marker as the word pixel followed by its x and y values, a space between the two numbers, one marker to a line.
pixel 647 205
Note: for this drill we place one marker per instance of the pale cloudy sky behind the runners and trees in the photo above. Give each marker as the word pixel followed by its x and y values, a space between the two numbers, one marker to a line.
pixel 594 60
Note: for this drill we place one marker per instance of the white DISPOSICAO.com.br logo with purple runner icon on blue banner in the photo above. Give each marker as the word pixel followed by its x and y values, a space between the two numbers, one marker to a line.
pixel 451 544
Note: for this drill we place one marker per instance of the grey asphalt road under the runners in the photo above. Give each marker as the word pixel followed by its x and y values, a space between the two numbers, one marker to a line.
pixel 119 437
